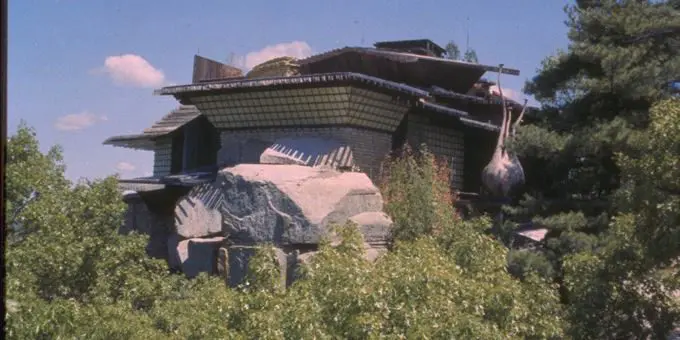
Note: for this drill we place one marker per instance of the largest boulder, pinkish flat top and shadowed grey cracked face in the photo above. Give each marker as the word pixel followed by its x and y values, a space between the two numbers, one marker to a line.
pixel 290 204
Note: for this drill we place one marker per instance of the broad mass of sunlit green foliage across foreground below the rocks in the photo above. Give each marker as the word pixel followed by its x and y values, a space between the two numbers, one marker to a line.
pixel 76 277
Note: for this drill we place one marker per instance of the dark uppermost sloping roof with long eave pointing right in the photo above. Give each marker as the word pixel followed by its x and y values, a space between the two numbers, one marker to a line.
pixel 413 69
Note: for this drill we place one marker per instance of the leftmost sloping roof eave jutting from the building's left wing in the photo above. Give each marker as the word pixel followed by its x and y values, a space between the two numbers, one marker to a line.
pixel 165 126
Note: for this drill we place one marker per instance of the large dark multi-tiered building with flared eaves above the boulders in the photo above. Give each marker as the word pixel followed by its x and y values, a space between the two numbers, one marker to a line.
pixel 347 108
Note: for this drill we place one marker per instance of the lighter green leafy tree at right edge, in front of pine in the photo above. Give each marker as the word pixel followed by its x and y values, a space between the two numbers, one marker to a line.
pixel 620 289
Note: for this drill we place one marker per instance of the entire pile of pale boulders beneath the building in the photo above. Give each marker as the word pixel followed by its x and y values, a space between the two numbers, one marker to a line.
pixel 290 207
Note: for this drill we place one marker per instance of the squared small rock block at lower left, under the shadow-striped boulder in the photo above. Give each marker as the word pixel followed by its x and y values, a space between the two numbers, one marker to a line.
pixel 194 256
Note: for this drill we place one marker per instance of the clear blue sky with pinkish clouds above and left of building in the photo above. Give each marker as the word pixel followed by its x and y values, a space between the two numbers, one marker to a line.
pixel 80 71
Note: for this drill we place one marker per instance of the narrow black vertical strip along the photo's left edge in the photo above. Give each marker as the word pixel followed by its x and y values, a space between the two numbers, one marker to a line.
pixel 3 142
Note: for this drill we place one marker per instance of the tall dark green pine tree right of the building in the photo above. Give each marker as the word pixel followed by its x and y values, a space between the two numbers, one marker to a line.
pixel 623 56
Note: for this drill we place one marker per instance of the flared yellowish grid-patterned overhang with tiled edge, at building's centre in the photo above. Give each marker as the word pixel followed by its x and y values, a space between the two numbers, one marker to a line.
pixel 307 100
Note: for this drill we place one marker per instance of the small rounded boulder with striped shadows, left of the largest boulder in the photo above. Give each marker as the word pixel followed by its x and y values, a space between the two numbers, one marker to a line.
pixel 193 219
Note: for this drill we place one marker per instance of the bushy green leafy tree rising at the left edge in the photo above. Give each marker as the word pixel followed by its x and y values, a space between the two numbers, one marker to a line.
pixel 69 266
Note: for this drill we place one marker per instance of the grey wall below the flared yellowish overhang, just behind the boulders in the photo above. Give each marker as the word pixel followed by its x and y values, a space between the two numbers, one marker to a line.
pixel 368 147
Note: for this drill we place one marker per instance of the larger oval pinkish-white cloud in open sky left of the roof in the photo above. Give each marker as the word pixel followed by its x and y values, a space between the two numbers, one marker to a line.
pixel 131 69
